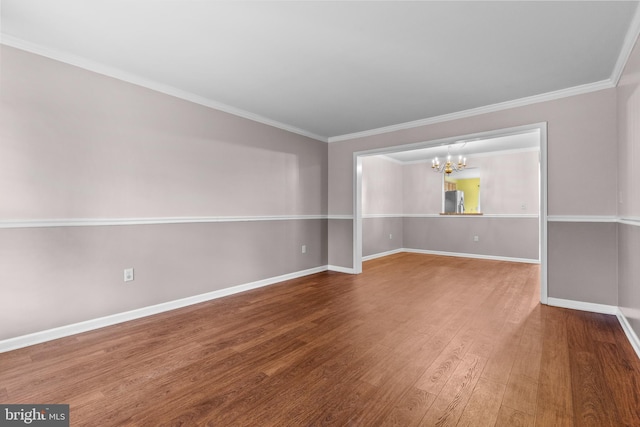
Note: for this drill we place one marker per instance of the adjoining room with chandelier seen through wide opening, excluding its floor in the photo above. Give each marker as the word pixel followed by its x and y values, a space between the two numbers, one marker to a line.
pixel 497 184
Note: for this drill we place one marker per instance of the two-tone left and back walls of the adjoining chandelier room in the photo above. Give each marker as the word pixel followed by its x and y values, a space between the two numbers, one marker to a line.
pixel 401 205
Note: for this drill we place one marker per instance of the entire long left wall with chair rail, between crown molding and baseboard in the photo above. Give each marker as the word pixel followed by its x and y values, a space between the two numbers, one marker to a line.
pixel 81 154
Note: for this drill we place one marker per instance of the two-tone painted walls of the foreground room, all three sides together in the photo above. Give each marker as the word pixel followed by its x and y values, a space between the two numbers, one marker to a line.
pixel 97 175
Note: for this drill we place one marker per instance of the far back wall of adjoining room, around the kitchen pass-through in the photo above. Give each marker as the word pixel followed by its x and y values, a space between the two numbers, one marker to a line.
pixel 508 181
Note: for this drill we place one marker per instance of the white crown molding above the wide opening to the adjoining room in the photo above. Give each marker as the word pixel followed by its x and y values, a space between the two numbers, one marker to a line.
pixel 549 96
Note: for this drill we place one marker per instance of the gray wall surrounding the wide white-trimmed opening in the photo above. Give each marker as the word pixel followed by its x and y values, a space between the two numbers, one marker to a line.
pixel 581 131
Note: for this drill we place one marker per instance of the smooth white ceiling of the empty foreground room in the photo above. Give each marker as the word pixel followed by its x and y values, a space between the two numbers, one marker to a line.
pixel 331 69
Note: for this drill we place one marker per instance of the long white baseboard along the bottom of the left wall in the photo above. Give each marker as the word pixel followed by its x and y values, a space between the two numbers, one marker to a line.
pixel 89 325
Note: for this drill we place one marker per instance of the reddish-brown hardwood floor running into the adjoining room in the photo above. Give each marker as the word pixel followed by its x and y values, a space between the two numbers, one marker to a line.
pixel 414 340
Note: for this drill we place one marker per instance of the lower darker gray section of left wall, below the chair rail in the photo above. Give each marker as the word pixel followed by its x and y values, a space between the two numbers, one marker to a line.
pixel 55 276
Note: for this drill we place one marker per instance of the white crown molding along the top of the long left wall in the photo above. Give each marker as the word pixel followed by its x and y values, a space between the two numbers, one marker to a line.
pixel 118 74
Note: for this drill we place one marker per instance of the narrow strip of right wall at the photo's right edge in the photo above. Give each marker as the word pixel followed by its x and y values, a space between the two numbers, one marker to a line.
pixel 628 97
